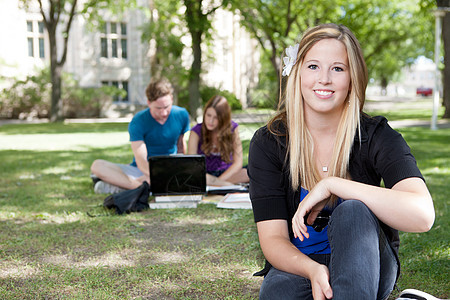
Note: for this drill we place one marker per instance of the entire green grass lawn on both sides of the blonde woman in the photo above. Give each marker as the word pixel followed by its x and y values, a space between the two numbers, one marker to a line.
pixel 51 249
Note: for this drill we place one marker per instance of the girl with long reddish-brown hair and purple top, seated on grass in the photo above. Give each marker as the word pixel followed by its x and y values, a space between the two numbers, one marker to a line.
pixel 218 139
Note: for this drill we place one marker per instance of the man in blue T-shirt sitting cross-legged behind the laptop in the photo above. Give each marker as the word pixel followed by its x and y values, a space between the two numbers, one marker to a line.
pixel 156 130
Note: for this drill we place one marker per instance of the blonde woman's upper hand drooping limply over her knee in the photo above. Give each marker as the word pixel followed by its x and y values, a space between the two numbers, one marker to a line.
pixel 313 203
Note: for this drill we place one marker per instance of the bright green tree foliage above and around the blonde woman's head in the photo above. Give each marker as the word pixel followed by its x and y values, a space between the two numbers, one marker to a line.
pixel 392 33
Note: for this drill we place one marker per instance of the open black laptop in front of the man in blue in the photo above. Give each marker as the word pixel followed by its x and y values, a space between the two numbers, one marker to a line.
pixel 177 175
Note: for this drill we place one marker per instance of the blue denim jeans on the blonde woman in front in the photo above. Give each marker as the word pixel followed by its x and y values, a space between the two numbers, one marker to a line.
pixel 362 265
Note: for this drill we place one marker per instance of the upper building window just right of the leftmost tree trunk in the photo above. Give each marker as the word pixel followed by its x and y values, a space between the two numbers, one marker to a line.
pixel 113 40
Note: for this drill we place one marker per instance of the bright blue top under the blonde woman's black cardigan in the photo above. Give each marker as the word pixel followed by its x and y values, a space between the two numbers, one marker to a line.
pixel 317 243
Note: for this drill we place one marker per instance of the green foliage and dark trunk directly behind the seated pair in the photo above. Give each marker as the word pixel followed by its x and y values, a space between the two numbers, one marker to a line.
pixel 171 21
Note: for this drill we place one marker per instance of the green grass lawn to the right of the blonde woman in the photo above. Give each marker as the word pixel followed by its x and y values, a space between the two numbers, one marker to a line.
pixel 425 257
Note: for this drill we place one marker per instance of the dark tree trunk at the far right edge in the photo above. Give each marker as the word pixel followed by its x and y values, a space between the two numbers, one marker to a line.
pixel 446 73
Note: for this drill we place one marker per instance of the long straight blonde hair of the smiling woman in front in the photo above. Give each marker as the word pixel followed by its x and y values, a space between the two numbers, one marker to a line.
pixel 290 110
